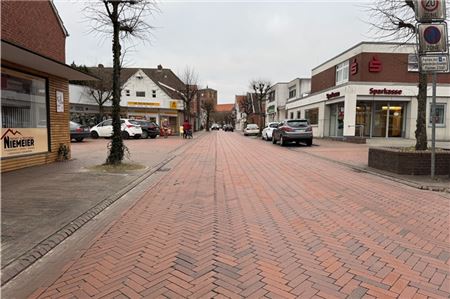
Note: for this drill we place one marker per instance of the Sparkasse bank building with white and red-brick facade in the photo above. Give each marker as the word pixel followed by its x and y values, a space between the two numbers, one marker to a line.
pixel 370 90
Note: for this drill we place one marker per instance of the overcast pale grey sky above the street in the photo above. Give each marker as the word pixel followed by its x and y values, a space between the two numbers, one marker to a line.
pixel 229 42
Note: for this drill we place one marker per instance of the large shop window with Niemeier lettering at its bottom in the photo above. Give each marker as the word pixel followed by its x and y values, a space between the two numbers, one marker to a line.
pixel 24 114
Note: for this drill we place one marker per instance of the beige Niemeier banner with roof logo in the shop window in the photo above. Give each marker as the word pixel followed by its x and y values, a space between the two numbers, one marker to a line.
pixel 23 141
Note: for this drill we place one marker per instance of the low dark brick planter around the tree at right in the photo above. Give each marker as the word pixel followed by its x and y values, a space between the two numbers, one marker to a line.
pixel 409 162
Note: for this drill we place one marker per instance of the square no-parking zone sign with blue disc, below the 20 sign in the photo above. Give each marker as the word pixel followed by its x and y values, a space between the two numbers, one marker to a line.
pixel 432 38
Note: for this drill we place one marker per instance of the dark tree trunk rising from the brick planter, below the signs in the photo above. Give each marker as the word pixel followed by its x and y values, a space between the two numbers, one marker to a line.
pixel 421 124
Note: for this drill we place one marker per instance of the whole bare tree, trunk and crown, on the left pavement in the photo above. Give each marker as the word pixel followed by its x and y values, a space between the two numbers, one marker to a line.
pixel 122 19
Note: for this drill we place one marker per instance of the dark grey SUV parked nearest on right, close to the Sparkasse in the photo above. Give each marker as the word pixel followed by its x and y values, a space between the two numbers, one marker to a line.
pixel 293 130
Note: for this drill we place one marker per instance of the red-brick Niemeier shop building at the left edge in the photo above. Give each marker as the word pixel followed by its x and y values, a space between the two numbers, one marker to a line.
pixel 34 85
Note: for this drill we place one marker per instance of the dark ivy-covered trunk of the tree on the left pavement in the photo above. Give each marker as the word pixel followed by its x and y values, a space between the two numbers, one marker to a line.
pixel 116 151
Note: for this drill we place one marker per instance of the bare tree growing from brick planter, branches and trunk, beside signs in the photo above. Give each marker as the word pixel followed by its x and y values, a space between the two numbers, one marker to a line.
pixel 394 20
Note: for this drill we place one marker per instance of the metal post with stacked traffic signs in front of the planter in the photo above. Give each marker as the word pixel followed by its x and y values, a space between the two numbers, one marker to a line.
pixel 433 51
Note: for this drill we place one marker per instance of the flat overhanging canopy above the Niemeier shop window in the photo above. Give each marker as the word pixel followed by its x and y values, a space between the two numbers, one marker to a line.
pixel 22 56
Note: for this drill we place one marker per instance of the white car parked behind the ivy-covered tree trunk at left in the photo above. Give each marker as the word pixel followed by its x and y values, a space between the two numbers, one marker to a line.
pixel 129 127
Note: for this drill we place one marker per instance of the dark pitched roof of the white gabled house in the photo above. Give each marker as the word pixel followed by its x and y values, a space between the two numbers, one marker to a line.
pixel 164 78
